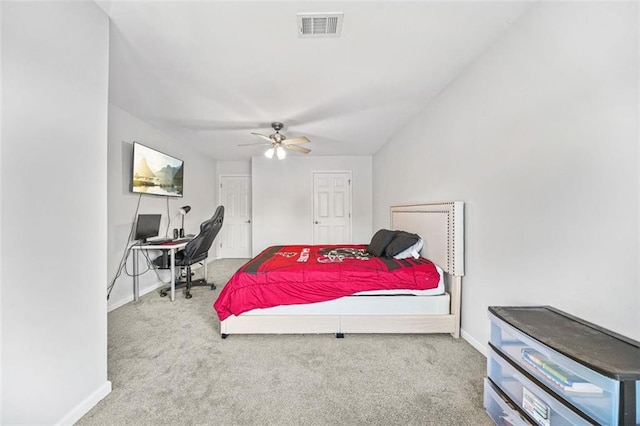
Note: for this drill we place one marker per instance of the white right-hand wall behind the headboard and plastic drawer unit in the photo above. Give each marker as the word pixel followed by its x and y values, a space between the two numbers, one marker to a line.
pixel 540 138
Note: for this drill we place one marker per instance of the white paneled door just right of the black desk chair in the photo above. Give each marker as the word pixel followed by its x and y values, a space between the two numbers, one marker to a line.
pixel 235 235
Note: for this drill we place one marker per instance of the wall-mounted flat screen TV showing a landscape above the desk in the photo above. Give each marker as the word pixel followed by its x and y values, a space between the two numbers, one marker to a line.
pixel 156 173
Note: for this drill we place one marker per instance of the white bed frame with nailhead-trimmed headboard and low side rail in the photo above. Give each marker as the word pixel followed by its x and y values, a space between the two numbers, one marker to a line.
pixel 441 225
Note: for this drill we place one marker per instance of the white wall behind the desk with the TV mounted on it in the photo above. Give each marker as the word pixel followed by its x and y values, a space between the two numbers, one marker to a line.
pixel 200 192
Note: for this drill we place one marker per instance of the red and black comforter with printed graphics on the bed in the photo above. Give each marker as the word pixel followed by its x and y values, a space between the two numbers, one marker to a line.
pixel 287 275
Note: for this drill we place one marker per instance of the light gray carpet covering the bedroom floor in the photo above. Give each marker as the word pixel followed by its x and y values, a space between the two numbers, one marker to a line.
pixel 168 365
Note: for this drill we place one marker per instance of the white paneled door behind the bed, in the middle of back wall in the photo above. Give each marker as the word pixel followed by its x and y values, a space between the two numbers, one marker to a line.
pixel 332 207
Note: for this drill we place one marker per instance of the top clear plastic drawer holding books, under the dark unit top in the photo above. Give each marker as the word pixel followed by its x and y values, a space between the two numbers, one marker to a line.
pixel 589 392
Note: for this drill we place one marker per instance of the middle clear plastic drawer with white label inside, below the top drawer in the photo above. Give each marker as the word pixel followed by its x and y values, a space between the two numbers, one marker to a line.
pixel 534 401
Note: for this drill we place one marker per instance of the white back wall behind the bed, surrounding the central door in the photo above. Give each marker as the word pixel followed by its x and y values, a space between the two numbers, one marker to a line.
pixel 283 198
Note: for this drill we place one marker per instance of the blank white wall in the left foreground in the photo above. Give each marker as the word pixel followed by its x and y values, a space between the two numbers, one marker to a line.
pixel 54 210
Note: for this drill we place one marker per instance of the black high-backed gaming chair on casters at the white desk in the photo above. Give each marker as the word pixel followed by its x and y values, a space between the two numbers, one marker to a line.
pixel 195 251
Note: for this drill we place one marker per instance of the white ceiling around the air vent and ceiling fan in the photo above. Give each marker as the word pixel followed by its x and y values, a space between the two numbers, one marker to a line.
pixel 210 72
